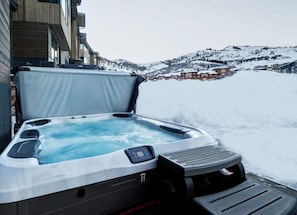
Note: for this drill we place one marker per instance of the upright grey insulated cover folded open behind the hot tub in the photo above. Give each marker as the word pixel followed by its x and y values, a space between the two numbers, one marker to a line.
pixel 54 92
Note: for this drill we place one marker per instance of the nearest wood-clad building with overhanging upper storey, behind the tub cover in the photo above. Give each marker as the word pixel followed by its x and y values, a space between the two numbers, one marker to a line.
pixel 45 31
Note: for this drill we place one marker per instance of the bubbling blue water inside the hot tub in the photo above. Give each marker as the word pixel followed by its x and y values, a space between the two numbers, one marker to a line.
pixel 74 140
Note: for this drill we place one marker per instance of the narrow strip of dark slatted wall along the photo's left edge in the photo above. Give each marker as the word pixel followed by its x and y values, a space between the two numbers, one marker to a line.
pixel 5 93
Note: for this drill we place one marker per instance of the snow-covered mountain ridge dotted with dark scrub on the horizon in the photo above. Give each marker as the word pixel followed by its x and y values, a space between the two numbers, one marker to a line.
pixel 237 57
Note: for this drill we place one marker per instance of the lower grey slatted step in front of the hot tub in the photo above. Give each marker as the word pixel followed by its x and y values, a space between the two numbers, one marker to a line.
pixel 249 197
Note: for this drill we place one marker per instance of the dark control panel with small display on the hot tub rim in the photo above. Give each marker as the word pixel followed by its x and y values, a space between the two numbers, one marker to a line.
pixel 140 154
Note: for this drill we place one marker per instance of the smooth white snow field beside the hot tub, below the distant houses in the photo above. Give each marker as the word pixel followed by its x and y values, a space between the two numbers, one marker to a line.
pixel 252 113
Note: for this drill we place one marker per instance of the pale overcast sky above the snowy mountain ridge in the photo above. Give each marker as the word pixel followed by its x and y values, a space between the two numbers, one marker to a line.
pixel 145 31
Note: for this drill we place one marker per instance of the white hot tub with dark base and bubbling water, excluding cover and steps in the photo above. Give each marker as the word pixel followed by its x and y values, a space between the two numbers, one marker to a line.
pixel 94 163
